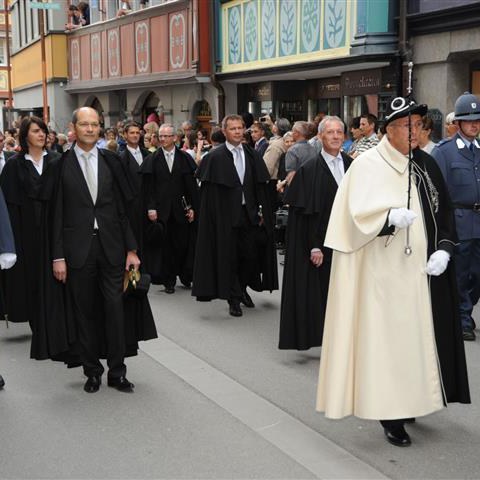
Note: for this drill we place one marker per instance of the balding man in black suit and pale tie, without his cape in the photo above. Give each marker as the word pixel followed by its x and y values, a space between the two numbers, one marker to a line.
pixel 93 244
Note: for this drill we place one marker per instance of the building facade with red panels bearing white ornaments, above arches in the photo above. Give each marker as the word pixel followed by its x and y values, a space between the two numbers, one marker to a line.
pixel 151 60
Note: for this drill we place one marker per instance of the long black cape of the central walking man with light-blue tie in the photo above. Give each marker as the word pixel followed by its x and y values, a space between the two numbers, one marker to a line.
pixel 220 204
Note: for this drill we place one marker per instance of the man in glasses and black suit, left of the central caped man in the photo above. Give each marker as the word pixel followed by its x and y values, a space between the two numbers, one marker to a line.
pixel 171 194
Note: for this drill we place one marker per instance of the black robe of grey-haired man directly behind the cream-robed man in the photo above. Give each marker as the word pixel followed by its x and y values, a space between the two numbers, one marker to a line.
pixel 305 287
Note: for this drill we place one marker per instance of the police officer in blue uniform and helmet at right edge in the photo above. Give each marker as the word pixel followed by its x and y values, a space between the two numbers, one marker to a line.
pixel 459 160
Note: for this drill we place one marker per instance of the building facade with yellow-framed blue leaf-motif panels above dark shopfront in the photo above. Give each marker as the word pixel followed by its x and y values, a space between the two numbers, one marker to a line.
pixel 298 58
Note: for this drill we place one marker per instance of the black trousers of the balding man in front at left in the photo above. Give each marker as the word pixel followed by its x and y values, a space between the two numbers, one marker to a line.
pixel 97 289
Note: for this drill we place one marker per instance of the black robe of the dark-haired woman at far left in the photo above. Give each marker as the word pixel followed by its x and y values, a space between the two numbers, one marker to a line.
pixel 30 290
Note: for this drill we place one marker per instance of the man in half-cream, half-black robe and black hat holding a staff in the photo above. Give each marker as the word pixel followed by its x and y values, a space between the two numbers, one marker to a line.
pixel 388 311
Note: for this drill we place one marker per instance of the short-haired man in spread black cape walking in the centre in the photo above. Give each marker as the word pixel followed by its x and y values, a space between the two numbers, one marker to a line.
pixel 235 246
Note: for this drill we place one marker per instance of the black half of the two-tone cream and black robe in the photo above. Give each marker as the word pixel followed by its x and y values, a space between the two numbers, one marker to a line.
pixel 441 234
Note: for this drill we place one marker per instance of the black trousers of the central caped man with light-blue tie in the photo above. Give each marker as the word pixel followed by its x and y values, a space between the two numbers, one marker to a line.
pixel 244 256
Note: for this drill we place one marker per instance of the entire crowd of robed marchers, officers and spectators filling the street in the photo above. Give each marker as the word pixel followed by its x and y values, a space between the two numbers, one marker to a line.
pixel 380 232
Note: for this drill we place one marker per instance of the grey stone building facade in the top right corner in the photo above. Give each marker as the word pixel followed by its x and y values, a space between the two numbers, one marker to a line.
pixel 444 39
